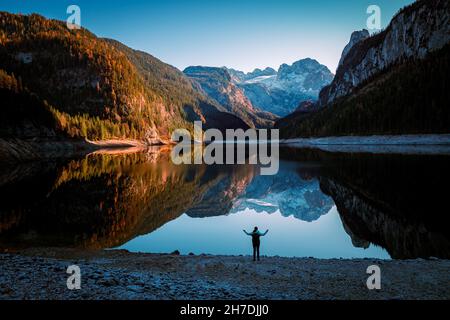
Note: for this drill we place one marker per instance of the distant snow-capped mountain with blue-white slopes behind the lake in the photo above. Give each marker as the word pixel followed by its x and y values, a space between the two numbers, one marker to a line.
pixel 280 92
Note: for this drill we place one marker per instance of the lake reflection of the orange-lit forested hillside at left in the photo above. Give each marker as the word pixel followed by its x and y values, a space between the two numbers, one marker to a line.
pixel 105 200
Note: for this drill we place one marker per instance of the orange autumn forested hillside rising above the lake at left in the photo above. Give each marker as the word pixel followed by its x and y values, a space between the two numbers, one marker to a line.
pixel 96 88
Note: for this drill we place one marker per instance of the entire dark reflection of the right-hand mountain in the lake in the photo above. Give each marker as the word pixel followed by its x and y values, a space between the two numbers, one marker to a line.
pixel 394 201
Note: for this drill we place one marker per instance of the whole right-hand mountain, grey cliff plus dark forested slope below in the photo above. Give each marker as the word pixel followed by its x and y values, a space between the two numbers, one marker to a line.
pixel 393 82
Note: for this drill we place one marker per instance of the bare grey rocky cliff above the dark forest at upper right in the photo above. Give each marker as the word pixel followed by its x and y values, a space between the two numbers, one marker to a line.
pixel 414 32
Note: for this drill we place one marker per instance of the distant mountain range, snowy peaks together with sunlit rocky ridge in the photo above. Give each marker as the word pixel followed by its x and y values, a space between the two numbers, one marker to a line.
pixel 262 96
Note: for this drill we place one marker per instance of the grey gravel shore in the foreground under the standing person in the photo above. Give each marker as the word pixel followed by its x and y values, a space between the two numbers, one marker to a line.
pixel 41 274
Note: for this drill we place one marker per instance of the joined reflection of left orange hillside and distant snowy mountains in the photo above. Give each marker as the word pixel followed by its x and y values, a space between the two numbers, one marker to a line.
pixel 105 200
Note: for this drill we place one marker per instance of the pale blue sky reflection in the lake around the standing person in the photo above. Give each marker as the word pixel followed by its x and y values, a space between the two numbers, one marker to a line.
pixel 288 237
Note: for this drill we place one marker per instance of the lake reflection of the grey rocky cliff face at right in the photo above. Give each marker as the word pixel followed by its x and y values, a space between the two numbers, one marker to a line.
pixel 366 222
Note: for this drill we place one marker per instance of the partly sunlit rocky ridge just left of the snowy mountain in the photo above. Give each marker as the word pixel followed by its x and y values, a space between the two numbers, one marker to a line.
pixel 217 84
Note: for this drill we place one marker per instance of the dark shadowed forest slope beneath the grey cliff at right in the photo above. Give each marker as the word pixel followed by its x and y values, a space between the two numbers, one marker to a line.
pixel 406 99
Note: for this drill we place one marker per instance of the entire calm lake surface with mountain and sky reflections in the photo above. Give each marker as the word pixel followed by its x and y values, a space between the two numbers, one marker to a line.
pixel 323 205
